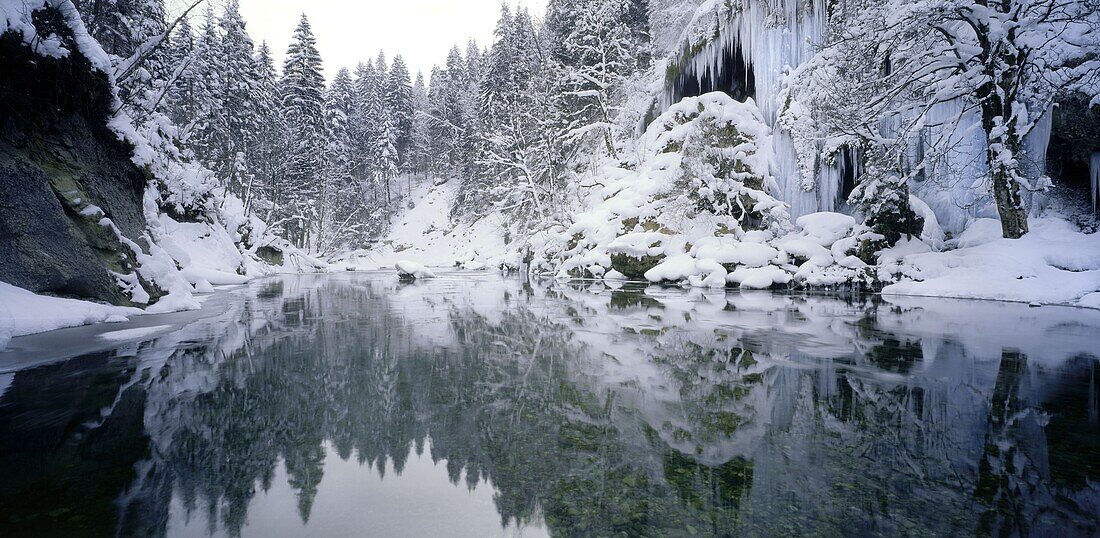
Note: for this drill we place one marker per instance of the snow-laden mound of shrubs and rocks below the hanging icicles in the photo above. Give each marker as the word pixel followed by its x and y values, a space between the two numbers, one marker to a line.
pixel 700 172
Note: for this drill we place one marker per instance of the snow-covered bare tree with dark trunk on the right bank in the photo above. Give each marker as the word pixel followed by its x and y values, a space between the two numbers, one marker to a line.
pixel 888 64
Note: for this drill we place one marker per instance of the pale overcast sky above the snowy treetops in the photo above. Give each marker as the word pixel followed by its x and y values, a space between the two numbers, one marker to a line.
pixel 349 31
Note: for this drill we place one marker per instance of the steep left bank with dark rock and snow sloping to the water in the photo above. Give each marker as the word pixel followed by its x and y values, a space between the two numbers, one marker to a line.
pixel 139 223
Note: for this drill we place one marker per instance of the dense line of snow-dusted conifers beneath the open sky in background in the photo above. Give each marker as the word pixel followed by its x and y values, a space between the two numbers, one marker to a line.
pixel 327 164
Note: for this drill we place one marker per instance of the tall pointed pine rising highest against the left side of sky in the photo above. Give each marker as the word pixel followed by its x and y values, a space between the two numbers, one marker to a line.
pixel 303 106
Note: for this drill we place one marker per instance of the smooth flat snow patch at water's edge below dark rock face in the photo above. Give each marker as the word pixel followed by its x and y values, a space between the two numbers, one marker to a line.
pixel 24 313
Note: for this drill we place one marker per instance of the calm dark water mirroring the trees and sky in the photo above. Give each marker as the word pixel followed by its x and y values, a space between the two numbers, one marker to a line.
pixel 476 405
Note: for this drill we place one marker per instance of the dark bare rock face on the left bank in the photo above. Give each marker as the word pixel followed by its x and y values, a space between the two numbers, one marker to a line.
pixel 62 172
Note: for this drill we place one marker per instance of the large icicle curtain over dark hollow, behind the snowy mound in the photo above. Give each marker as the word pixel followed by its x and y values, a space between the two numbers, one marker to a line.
pixel 749 49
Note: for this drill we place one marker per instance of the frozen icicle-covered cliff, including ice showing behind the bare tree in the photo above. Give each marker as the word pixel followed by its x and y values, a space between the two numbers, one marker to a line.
pixel 754 49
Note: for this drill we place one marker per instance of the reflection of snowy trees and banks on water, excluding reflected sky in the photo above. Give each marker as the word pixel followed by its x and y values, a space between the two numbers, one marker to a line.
pixel 742 433
